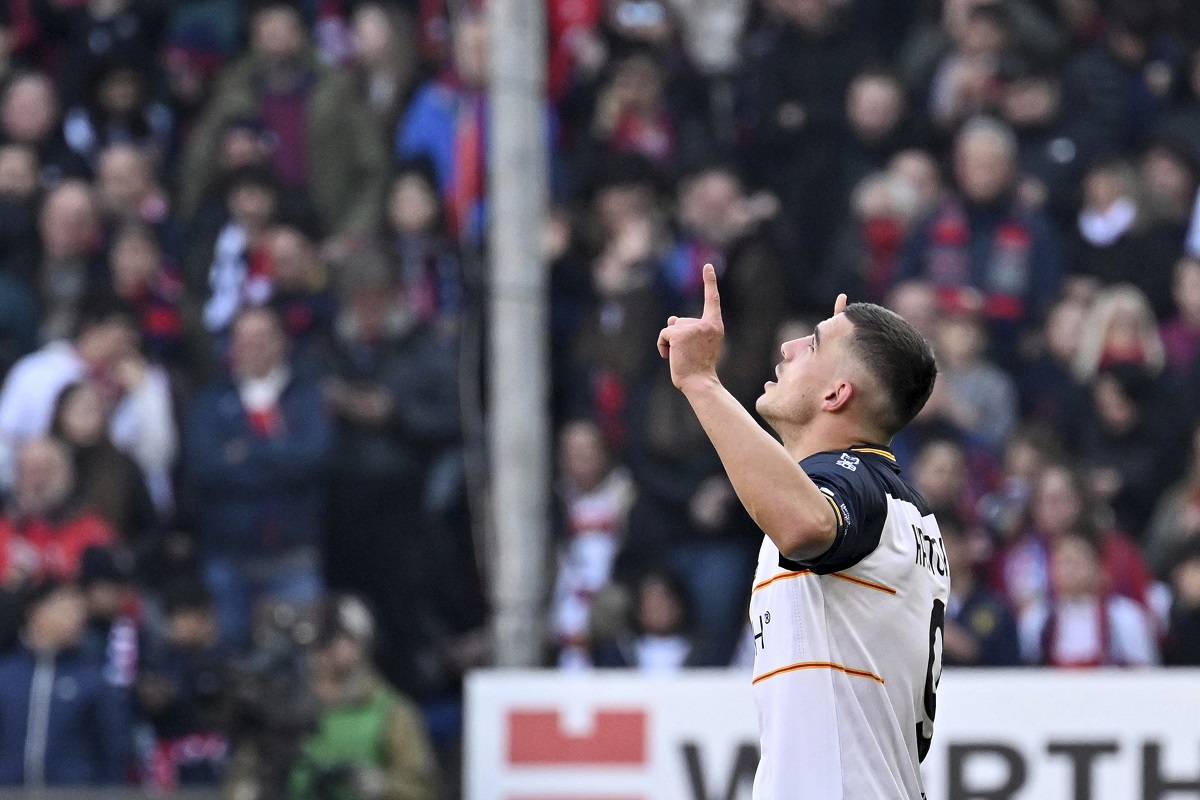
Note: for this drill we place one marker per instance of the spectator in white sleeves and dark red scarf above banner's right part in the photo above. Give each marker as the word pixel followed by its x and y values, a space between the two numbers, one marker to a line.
pixel 1084 624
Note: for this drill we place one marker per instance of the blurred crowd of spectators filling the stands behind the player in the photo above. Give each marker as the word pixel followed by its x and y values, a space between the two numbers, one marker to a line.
pixel 243 273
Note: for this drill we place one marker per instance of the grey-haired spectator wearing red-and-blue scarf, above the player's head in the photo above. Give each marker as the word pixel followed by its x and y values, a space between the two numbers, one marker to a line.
pixel 986 238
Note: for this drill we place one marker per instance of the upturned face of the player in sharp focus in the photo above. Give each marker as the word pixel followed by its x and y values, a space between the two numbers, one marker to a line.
pixel 808 368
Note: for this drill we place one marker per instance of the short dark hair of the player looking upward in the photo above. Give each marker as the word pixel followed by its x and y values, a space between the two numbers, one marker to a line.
pixel 898 356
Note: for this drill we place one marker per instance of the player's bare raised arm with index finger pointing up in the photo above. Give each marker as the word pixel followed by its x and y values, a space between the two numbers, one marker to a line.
pixel 777 494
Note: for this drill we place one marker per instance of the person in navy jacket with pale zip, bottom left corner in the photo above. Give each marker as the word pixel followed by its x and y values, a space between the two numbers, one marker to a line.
pixel 62 724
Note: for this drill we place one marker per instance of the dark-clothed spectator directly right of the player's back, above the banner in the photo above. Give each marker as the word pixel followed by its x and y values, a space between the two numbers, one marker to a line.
pixel 980 629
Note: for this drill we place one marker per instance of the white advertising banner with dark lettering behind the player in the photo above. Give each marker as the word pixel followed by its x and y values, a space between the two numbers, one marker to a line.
pixel 1001 736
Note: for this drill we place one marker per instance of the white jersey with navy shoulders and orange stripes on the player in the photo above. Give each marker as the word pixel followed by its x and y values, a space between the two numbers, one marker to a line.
pixel 849 647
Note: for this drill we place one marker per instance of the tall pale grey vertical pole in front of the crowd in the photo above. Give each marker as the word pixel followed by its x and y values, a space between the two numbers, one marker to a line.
pixel 518 366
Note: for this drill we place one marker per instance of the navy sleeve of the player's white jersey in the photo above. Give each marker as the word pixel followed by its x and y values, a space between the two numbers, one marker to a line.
pixel 859 504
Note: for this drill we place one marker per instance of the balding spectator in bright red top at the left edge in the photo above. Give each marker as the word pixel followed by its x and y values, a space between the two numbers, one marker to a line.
pixel 47 530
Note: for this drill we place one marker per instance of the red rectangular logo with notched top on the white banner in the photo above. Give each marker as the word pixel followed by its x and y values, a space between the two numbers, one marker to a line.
pixel 537 738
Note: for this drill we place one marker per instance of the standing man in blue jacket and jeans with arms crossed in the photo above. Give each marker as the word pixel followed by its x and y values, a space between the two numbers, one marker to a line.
pixel 257 447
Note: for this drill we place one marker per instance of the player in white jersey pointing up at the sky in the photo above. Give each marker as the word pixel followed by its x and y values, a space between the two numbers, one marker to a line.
pixel 850 594
